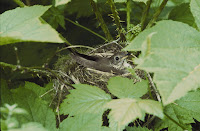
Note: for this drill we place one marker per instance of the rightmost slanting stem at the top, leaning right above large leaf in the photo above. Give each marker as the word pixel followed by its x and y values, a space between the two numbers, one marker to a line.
pixel 157 13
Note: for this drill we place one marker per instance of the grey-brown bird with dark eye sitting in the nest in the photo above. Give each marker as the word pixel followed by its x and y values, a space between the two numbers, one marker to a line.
pixel 113 64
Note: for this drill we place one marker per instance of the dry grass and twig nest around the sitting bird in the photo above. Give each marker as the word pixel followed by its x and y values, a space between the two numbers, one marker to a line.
pixel 74 73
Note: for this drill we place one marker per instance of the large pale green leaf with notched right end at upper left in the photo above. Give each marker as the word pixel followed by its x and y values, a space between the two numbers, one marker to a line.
pixel 24 24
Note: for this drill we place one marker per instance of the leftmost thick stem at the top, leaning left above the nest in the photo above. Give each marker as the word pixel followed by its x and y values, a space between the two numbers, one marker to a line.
pixel 101 21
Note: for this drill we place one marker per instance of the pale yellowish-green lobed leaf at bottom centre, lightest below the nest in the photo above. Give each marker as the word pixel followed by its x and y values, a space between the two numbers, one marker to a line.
pixel 126 110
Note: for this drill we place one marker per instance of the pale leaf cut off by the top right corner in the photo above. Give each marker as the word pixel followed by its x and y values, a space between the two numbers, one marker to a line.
pixel 195 9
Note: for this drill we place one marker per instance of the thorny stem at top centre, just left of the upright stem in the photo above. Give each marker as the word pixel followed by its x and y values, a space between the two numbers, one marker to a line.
pixel 117 20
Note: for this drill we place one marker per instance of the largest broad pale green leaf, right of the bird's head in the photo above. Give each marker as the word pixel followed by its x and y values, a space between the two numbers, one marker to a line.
pixel 174 58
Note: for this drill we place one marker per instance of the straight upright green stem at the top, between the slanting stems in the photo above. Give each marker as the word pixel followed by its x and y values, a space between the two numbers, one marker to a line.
pixel 128 14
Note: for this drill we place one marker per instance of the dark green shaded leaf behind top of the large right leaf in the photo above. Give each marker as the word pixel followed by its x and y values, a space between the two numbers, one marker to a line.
pixel 183 14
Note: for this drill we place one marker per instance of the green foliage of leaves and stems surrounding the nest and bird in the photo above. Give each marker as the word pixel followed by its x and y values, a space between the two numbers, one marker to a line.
pixel 167 39
